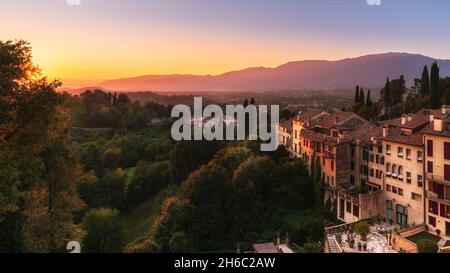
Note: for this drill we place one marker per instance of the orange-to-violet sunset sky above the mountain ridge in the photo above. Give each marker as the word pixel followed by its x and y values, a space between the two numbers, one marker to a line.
pixel 105 39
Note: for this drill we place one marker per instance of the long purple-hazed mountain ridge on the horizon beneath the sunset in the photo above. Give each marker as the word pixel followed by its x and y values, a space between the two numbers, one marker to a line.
pixel 369 71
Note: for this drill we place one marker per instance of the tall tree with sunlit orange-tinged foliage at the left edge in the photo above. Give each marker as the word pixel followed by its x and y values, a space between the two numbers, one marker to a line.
pixel 38 174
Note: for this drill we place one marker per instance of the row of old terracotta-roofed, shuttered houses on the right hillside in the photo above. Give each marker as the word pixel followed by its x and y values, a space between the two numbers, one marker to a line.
pixel 397 170
